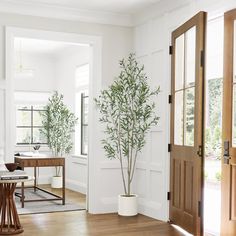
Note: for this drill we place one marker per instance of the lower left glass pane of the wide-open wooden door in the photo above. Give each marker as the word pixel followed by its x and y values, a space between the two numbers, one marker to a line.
pixel 178 130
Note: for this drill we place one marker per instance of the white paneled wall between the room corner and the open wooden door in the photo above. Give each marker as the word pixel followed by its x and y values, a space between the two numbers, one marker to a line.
pixel 151 40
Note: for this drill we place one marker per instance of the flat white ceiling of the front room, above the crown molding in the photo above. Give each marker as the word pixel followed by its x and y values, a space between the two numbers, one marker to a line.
pixel 113 6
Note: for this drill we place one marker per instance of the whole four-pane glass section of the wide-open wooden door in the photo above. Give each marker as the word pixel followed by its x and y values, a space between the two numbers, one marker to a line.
pixel 185 88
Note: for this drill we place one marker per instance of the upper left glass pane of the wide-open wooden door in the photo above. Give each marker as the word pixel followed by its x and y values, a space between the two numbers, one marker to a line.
pixel 179 62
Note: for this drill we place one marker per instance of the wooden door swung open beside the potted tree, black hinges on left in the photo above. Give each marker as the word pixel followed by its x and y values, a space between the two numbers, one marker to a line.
pixel 187 91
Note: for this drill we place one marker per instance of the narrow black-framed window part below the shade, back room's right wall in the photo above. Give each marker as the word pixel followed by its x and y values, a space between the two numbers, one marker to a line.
pixel 84 124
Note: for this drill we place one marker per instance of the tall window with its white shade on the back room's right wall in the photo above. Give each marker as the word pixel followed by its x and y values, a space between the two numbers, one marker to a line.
pixel 81 109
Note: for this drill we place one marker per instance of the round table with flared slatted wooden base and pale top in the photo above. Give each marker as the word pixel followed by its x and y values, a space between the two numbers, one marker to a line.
pixel 10 223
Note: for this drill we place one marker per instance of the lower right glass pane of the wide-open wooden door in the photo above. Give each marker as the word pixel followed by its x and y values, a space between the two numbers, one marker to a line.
pixel 189 117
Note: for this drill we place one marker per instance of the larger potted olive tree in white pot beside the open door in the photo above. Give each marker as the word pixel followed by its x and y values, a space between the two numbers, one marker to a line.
pixel 127 112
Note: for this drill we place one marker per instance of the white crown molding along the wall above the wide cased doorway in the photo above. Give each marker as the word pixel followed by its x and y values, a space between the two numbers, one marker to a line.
pixel 25 7
